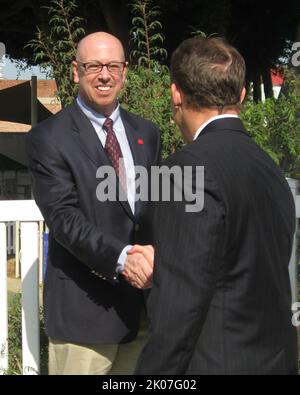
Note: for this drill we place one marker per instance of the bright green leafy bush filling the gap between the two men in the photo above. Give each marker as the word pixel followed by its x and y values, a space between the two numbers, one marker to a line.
pixel 147 93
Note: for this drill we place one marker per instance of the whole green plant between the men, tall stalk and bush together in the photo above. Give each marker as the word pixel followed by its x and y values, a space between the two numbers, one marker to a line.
pixel 147 92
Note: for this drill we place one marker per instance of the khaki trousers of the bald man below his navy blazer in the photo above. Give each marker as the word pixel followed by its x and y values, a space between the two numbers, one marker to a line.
pixel 98 359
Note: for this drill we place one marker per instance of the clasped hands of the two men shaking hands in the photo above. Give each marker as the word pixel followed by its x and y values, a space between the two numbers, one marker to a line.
pixel 138 268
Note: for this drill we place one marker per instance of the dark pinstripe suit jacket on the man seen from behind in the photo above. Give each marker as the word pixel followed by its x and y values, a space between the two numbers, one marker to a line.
pixel 221 301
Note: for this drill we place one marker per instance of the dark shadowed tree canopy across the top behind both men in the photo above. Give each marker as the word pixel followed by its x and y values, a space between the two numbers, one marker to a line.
pixel 258 29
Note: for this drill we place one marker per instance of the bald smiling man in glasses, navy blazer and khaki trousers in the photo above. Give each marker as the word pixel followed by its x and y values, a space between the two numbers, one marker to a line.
pixel 92 290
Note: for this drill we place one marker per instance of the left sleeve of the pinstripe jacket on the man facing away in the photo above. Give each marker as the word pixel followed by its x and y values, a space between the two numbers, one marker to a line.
pixel 187 263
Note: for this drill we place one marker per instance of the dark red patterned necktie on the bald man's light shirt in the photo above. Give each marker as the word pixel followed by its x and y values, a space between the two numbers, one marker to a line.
pixel 114 153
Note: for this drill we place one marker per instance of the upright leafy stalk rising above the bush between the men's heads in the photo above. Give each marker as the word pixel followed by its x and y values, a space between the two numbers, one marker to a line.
pixel 146 33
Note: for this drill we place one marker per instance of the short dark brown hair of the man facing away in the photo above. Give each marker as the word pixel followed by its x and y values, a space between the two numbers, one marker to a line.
pixel 209 71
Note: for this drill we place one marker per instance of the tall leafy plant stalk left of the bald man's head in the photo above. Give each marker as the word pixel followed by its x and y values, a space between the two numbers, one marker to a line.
pixel 57 47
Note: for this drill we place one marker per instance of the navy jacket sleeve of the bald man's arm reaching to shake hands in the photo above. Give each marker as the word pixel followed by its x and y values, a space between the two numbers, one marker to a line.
pixel 55 193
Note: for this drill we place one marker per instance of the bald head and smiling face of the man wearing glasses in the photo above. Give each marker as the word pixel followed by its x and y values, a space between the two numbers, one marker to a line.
pixel 99 89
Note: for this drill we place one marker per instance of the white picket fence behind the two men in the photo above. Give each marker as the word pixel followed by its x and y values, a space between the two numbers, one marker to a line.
pixel 29 216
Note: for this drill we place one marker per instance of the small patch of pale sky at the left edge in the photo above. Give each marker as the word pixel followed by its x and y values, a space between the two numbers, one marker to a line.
pixel 11 72
